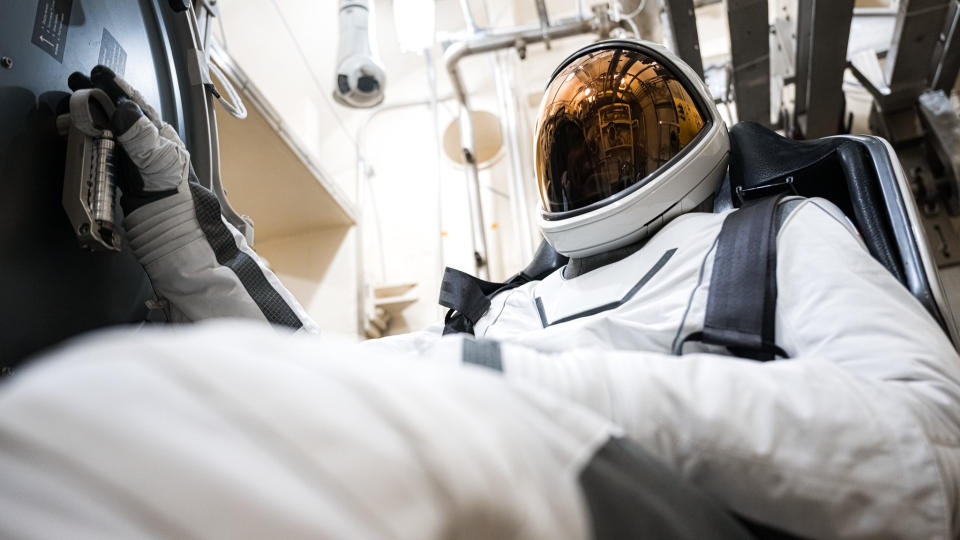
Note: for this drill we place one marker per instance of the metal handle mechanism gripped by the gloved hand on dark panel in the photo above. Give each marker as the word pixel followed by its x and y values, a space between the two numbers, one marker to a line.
pixel 89 180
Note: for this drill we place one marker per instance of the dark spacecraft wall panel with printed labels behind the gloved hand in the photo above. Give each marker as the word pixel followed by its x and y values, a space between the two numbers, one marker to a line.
pixel 50 288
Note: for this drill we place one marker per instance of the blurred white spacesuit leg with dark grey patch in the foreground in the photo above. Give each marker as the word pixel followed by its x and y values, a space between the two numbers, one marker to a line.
pixel 231 430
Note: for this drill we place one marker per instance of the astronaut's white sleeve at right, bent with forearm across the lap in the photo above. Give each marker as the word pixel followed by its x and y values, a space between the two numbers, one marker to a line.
pixel 852 437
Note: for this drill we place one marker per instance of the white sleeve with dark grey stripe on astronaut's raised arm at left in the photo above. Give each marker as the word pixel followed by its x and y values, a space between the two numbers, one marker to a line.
pixel 202 266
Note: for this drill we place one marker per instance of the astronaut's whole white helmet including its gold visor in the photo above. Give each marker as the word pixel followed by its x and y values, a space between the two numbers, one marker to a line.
pixel 627 138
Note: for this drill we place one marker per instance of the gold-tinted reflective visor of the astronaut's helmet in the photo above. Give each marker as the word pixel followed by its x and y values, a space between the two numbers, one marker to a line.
pixel 608 120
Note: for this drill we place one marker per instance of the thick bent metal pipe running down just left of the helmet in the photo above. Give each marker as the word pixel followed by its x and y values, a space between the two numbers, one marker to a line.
pixel 518 37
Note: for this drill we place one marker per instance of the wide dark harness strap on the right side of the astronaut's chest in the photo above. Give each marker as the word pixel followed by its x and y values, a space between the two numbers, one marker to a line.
pixel 742 299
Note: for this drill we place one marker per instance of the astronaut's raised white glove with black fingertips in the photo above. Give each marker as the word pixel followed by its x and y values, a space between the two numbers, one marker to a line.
pixel 156 162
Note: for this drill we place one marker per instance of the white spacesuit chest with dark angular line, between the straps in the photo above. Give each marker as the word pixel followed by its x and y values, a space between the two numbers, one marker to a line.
pixel 636 303
